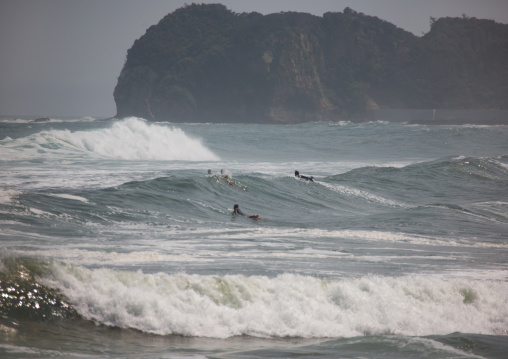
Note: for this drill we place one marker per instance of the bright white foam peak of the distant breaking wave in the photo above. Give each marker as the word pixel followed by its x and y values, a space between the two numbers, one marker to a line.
pixel 135 139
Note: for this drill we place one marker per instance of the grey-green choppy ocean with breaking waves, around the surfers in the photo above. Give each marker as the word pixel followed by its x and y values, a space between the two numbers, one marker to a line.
pixel 117 242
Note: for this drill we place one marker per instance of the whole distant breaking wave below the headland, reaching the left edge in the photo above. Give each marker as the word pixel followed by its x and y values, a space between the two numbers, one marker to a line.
pixel 128 139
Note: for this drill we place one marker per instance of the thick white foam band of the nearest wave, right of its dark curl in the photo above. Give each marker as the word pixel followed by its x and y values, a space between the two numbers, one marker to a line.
pixel 287 305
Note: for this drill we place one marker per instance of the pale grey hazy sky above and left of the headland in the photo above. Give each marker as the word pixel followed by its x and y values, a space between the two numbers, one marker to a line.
pixel 63 57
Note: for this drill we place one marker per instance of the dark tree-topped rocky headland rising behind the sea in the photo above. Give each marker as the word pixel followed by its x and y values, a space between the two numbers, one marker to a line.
pixel 204 63
